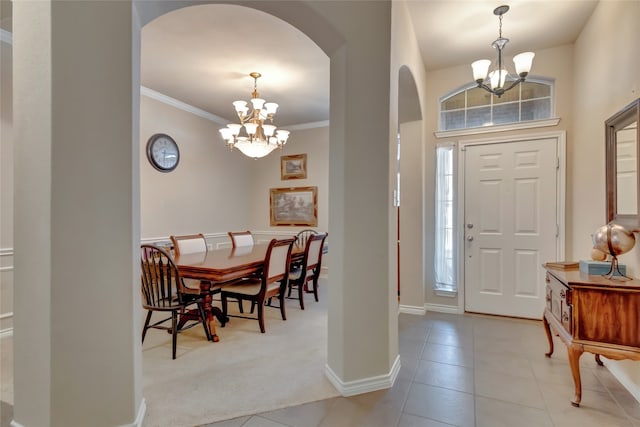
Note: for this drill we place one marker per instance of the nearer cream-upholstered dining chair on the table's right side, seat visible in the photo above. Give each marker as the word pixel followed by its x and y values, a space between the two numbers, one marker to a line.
pixel 271 283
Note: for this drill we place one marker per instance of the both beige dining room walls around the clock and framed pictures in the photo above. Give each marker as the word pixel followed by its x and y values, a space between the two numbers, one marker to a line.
pixel 214 190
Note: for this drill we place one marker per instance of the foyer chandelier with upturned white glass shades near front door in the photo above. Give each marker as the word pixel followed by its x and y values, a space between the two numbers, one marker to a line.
pixel 496 80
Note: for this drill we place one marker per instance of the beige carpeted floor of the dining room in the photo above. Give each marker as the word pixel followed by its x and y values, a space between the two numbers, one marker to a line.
pixel 244 373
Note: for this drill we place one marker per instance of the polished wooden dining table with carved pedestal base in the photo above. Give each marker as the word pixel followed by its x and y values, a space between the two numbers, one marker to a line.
pixel 220 266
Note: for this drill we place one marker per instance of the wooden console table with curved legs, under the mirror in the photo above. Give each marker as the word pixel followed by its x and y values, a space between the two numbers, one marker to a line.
pixel 593 314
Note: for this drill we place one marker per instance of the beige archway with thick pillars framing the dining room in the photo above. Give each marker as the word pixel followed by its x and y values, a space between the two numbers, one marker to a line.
pixel 88 111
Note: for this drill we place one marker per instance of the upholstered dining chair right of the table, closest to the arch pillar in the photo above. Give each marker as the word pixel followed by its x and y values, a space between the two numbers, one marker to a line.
pixel 300 277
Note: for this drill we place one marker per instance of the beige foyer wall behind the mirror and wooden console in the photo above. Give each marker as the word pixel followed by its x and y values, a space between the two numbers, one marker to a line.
pixel 606 78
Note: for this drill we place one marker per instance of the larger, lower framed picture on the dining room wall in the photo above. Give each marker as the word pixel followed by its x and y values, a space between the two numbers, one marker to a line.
pixel 294 206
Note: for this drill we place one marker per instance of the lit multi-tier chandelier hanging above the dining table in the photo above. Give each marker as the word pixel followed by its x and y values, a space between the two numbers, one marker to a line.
pixel 252 136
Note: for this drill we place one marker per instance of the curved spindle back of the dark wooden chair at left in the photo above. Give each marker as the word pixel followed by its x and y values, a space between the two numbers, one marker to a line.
pixel 161 283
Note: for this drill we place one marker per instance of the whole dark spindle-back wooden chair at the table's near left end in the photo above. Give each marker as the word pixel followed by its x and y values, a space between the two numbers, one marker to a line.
pixel 163 290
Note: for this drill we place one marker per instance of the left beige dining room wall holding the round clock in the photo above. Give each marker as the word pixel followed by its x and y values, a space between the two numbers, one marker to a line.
pixel 206 193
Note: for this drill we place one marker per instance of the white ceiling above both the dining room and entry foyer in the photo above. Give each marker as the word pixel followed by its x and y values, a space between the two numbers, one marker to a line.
pixel 202 55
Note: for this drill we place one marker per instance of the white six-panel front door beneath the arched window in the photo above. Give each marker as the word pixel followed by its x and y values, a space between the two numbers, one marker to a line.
pixel 510 225
